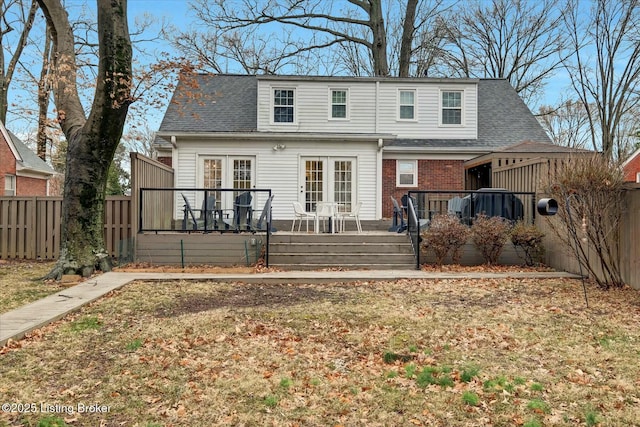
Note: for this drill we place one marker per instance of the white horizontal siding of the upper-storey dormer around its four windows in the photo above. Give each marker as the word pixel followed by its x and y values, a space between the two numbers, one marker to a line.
pixel 372 107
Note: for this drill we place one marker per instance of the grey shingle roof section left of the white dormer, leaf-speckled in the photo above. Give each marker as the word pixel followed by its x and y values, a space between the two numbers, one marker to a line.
pixel 213 103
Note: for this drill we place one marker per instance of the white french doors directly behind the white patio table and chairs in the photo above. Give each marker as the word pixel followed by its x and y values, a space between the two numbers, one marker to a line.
pixel 327 179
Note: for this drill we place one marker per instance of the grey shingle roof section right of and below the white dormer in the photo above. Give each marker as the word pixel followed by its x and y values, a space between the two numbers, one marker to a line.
pixel 503 120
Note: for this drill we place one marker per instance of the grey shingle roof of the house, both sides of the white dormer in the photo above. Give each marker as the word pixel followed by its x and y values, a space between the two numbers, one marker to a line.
pixel 228 103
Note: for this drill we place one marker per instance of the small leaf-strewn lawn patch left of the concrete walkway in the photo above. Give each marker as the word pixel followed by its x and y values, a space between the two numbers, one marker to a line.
pixel 18 284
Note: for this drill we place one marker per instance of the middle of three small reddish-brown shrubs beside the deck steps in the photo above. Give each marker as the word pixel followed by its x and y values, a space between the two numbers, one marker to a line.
pixel 489 235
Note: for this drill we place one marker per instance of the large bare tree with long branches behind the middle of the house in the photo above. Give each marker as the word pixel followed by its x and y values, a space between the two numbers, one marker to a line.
pixel 366 37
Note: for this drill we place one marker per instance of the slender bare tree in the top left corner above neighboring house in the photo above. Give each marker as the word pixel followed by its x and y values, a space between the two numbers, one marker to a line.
pixel 15 14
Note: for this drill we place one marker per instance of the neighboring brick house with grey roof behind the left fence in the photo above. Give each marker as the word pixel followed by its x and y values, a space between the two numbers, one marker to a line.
pixel 22 172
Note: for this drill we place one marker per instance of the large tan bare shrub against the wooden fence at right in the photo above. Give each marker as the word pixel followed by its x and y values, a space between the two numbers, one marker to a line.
pixel 590 195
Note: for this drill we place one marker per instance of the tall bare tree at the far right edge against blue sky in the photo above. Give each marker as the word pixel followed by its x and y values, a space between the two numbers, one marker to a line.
pixel 605 68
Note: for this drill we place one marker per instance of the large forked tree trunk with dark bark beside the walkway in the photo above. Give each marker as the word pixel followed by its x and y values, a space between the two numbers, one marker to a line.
pixel 92 138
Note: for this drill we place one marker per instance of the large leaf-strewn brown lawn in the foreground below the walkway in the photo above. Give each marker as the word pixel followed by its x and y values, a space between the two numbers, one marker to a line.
pixel 442 353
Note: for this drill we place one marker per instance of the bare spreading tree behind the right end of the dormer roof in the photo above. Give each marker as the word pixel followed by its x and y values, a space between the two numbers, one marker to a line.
pixel 518 40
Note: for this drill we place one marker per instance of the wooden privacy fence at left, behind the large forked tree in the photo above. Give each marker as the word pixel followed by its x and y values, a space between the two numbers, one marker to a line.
pixel 30 227
